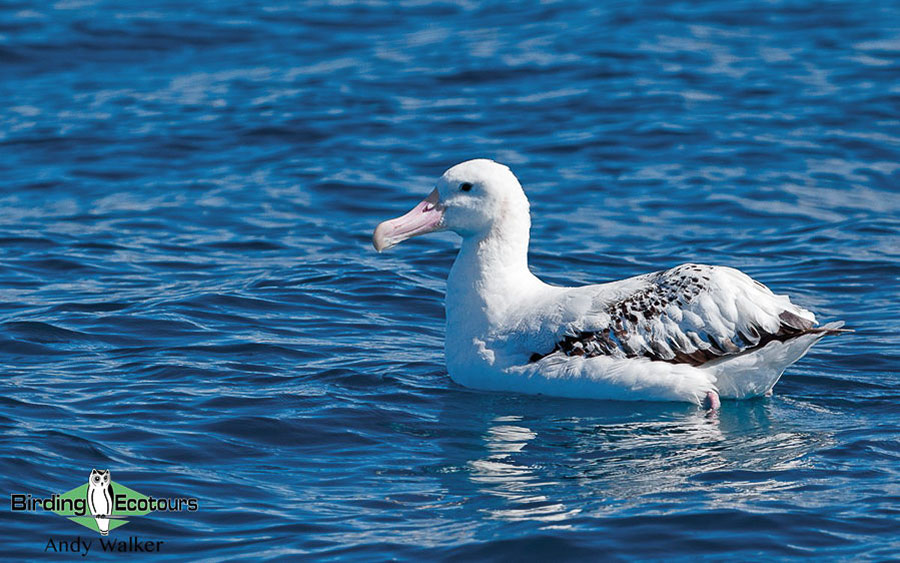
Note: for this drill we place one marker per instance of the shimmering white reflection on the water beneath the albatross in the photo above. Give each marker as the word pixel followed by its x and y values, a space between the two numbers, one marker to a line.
pixel 538 466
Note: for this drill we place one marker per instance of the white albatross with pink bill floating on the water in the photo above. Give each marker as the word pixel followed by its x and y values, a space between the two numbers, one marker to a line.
pixel 694 333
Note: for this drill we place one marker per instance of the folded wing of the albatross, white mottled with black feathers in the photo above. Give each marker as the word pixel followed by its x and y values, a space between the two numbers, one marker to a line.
pixel 692 314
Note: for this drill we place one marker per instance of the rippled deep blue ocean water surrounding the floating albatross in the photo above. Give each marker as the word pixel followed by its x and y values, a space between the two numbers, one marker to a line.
pixel 189 297
